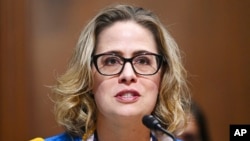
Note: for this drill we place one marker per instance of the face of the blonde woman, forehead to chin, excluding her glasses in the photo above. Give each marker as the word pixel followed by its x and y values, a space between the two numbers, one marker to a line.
pixel 126 94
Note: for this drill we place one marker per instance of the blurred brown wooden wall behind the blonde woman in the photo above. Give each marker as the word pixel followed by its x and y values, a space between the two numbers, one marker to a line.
pixel 38 36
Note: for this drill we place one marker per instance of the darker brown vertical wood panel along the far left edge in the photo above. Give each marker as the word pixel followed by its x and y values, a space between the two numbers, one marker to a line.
pixel 14 96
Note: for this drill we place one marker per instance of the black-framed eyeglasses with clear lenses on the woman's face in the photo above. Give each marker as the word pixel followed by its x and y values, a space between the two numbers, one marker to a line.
pixel 112 64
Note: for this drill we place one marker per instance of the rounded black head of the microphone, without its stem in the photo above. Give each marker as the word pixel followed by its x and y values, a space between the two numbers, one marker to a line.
pixel 151 122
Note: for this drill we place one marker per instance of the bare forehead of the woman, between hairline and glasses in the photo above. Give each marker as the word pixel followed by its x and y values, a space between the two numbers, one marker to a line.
pixel 125 37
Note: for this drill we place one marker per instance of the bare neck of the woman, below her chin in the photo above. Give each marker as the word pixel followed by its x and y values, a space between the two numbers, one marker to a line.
pixel 126 129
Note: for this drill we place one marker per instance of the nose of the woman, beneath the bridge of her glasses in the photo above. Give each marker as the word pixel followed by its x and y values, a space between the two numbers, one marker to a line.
pixel 128 74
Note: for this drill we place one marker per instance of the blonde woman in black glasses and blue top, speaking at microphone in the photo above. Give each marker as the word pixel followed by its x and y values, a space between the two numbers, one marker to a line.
pixel 125 65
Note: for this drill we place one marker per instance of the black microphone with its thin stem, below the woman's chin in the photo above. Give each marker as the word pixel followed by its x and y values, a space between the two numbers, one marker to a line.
pixel 152 123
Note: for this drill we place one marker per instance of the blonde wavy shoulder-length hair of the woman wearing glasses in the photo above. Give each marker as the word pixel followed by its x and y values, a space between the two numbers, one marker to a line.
pixel 74 104
